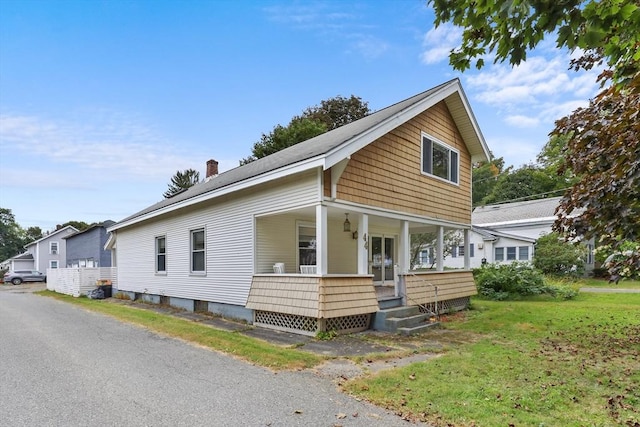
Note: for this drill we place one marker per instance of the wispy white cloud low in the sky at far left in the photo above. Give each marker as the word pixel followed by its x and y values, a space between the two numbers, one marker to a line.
pixel 101 141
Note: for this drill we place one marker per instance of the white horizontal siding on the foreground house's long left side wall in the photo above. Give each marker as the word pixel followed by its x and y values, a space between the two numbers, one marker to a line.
pixel 229 238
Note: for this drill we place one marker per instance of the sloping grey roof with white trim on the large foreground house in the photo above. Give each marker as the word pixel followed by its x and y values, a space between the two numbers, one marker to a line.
pixel 329 148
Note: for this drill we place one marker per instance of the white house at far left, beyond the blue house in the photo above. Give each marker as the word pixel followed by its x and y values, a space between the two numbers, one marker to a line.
pixel 47 252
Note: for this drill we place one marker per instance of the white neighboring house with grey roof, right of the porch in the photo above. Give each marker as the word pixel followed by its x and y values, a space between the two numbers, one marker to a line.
pixel 507 232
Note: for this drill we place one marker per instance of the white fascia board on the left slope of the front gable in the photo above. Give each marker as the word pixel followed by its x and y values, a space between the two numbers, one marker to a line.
pixel 362 140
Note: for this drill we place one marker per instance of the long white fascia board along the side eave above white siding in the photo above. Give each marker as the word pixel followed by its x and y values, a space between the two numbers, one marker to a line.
pixel 241 185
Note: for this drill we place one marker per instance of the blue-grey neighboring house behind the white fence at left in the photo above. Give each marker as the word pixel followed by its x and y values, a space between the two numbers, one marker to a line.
pixel 86 248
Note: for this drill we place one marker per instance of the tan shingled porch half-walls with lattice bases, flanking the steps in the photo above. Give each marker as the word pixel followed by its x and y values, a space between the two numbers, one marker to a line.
pixel 308 304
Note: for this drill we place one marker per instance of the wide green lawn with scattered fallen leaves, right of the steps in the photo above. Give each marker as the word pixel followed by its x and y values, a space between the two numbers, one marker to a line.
pixel 525 363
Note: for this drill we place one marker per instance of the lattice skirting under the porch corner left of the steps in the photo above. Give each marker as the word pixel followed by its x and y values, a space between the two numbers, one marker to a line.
pixel 309 325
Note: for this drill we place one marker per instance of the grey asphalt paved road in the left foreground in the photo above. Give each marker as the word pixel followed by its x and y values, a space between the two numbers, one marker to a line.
pixel 63 366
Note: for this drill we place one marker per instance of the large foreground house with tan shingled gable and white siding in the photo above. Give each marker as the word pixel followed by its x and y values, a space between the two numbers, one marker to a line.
pixel 316 237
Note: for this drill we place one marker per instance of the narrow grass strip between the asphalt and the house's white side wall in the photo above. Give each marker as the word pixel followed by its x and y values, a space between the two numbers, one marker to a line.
pixel 250 349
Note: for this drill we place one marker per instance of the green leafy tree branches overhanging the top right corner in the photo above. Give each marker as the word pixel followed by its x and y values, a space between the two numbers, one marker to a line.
pixel 605 29
